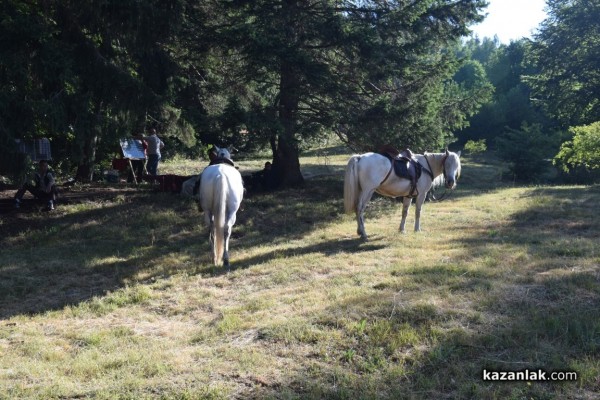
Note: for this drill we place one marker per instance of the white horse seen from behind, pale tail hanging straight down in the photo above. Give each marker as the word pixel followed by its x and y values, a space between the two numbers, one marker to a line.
pixel 221 193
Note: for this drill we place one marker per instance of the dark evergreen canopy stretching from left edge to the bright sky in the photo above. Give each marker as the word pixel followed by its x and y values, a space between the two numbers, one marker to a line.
pixel 85 73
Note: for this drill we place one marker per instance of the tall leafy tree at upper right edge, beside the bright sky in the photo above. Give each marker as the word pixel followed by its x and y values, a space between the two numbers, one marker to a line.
pixel 567 53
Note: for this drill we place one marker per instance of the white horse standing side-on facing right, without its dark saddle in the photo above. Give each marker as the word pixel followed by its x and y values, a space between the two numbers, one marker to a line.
pixel 372 172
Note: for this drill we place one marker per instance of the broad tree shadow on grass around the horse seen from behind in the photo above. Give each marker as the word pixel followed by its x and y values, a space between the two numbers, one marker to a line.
pixel 53 260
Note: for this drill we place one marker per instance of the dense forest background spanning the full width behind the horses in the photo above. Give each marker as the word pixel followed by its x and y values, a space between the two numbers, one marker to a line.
pixel 280 75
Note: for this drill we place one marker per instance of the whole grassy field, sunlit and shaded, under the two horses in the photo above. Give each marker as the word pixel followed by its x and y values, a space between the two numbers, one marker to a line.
pixel 117 299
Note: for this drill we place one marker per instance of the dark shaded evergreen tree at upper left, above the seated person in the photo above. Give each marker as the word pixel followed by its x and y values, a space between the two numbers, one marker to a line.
pixel 85 73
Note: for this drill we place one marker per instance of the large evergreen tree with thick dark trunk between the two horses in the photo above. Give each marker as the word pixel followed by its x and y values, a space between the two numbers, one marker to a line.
pixel 375 72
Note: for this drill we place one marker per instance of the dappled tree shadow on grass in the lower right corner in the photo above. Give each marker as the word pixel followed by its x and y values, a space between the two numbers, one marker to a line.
pixel 422 350
